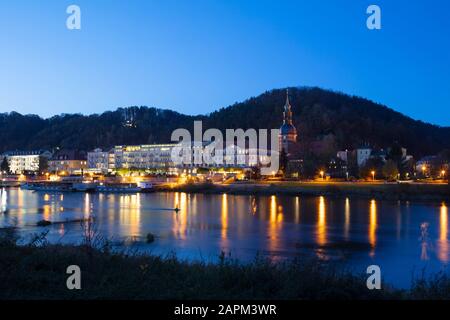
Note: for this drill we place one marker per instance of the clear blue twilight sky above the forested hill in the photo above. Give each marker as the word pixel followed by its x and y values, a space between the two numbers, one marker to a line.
pixel 195 56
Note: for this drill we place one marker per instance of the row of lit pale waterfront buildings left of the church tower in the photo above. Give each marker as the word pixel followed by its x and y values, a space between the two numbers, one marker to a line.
pixel 138 157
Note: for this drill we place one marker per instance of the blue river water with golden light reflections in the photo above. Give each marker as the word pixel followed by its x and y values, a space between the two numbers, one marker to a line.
pixel 403 238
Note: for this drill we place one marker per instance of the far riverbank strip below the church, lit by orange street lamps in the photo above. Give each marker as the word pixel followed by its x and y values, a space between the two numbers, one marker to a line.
pixel 381 191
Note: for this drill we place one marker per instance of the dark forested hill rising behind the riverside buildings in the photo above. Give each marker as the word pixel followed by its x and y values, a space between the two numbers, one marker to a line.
pixel 342 121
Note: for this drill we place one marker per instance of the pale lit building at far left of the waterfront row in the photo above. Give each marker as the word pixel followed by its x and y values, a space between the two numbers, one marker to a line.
pixel 26 161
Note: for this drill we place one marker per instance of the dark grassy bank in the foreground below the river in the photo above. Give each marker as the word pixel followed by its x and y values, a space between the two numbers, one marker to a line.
pixel 39 272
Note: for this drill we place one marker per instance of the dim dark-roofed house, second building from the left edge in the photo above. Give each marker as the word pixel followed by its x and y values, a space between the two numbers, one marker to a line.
pixel 68 161
